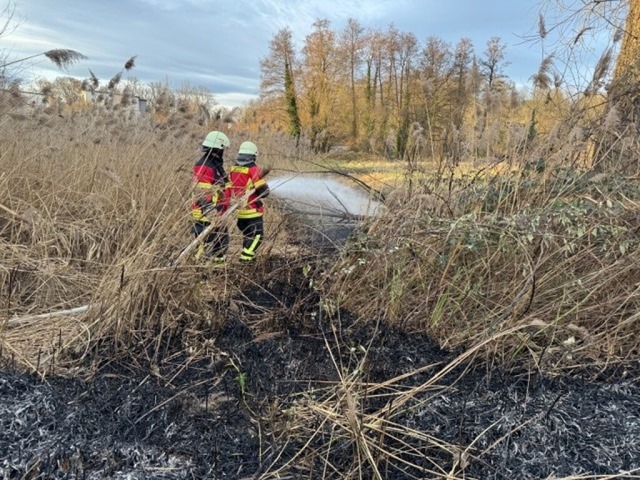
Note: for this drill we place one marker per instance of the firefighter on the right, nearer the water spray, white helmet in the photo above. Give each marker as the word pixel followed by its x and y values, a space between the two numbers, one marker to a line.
pixel 246 182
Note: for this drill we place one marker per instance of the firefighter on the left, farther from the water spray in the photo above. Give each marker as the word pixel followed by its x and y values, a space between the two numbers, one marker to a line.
pixel 208 183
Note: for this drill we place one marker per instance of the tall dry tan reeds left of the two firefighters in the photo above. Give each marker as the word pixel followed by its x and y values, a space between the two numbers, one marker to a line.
pixel 94 211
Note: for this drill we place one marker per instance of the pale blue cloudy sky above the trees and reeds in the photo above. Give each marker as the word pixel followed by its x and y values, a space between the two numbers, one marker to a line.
pixel 218 44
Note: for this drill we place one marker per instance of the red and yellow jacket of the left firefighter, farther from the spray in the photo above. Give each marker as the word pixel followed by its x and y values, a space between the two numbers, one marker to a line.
pixel 208 183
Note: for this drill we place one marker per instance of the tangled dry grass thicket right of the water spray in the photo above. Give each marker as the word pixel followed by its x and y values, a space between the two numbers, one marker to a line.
pixel 556 250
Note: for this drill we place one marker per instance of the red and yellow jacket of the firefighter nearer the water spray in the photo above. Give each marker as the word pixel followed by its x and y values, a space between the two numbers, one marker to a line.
pixel 242 180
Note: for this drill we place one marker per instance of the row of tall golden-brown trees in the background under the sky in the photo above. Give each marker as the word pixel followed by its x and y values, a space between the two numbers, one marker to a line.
pixel 384 91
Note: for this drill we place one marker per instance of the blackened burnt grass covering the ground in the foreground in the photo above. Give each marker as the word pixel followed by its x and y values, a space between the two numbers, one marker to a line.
pixel 224 414
